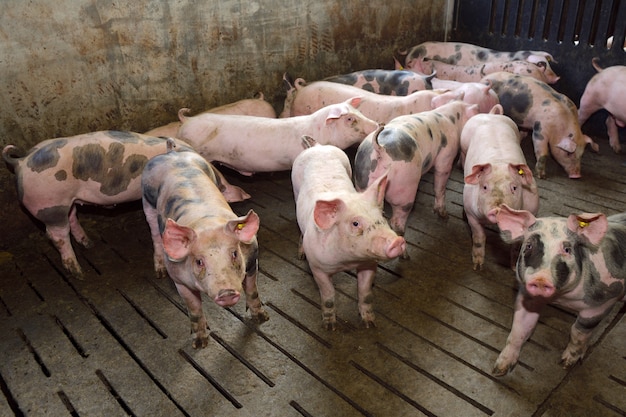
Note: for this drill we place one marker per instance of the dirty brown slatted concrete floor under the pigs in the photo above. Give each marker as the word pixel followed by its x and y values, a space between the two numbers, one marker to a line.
pixel 118 343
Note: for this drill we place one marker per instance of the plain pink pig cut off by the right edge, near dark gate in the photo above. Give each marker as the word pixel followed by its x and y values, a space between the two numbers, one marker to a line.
pixel 606 90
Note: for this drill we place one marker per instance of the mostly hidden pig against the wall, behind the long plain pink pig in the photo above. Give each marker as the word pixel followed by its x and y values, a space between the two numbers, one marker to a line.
pixel 257 106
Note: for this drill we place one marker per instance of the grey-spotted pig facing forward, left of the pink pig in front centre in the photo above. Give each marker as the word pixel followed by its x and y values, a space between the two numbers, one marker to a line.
pixel 198 240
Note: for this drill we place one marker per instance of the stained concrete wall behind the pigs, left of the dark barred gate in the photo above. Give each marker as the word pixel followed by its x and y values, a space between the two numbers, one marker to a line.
pixel 71 66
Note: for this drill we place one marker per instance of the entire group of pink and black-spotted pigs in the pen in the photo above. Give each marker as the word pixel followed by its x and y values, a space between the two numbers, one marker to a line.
pixel 447 102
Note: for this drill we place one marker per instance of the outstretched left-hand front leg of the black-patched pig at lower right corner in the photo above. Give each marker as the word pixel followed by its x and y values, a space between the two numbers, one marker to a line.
pixel 525 319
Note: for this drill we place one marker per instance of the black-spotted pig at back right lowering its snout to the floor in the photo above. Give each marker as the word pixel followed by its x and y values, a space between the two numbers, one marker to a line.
pixel 551 116
